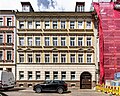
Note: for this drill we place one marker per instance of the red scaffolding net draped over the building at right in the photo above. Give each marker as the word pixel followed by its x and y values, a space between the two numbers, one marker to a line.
pixel 109 39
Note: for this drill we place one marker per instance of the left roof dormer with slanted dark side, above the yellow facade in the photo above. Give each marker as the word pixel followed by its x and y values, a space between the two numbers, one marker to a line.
pixel 27 7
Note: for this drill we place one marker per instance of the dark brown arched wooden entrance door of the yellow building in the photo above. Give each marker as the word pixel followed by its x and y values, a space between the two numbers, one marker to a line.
pixel 85 80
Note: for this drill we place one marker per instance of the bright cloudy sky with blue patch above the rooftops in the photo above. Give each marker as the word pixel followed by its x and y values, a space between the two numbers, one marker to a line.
pixel 44 5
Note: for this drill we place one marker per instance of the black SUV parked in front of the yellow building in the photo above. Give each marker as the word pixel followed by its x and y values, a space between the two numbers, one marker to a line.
pixel 51 85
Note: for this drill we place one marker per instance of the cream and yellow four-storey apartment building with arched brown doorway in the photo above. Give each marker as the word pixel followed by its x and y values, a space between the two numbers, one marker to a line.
pixel 55 45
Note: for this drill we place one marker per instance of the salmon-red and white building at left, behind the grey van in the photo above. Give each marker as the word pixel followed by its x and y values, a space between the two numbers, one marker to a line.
pixel 7 40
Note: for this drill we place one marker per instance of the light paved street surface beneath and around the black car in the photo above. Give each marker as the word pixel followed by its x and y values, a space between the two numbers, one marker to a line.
pixel 71 92
